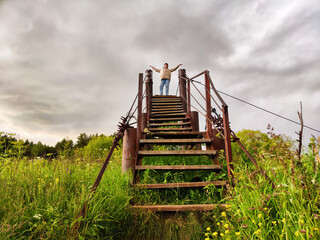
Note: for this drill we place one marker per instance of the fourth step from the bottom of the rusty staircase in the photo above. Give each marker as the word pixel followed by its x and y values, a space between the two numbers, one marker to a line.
pixel 177 152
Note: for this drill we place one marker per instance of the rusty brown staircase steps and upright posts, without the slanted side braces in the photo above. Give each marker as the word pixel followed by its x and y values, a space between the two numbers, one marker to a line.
pixel 169 122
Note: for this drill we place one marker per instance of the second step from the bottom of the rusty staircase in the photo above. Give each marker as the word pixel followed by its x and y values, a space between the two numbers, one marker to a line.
pixel 179 185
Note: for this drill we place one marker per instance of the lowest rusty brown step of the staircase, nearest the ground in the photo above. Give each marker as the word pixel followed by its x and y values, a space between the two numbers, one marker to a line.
pixel 179 208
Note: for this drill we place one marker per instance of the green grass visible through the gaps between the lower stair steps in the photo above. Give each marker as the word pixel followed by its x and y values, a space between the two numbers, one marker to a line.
pixel 207 195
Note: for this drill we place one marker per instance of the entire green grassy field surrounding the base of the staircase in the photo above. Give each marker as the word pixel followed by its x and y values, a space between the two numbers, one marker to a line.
pixel 39 199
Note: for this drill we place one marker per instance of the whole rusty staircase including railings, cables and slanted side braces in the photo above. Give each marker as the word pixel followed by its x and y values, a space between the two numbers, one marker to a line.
pixel 169 121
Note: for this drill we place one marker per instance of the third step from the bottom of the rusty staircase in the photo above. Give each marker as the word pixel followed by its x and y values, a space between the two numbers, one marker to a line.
pixel 179 167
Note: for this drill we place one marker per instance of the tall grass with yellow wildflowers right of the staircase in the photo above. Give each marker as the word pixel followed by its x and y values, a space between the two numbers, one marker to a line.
pixel 257 211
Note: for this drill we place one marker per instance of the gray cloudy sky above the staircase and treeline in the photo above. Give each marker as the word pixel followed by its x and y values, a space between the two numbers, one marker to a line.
pixel 68 67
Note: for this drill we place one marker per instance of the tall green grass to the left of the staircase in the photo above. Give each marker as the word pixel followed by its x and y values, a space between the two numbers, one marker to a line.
pixel 40 199
